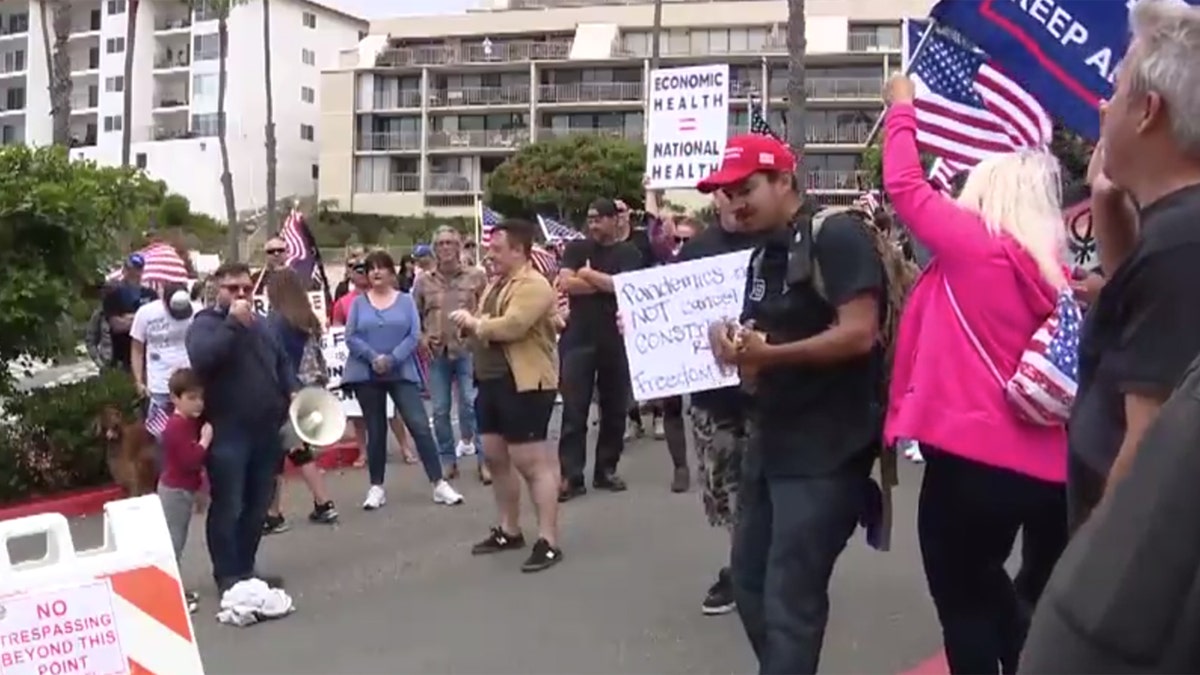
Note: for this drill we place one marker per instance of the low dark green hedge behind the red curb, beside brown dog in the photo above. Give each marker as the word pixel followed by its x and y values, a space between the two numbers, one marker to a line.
pixel 49 443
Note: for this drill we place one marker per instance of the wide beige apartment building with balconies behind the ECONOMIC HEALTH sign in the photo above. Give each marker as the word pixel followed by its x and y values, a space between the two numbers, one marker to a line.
pixel 413 123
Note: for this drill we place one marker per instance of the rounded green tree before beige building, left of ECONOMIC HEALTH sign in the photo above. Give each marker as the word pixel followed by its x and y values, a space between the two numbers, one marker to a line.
pixel 561 177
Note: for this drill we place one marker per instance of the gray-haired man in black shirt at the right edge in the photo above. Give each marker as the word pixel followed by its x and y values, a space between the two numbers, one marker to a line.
pixel 1144 327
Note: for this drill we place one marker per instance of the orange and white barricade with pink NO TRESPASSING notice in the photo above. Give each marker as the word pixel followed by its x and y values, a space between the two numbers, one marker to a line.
pixel 113 611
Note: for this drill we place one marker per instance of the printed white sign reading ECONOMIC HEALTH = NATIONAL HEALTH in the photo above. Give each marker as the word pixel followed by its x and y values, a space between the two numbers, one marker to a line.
pixel 688 124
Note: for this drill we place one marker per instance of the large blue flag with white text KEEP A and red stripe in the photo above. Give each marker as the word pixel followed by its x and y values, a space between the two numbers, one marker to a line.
pixel 1065 53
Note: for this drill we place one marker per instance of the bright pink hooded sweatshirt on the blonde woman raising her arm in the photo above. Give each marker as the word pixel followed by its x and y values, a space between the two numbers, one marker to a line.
pixel 943 392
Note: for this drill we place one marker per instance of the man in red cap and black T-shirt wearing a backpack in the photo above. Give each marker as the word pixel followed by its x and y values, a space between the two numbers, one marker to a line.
pixel 817 415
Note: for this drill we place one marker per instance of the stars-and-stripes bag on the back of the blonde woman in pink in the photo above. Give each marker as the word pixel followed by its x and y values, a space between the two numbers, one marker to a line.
pixel 1045 385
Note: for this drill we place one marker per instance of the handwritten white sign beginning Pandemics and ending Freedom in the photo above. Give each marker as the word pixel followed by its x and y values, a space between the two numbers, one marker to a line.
pixel 667 314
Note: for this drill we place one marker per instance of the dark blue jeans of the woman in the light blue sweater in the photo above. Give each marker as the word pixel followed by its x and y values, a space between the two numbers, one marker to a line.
pixel 407 396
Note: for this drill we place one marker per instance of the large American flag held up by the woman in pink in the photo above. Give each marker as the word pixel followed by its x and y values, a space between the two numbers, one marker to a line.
pixel 967 109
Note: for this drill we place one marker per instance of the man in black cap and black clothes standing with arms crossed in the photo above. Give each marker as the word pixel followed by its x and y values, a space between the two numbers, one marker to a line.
pixel 593 351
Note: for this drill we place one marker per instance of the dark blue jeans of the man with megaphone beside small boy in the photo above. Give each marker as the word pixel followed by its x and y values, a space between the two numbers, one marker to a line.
pixel 243 463
